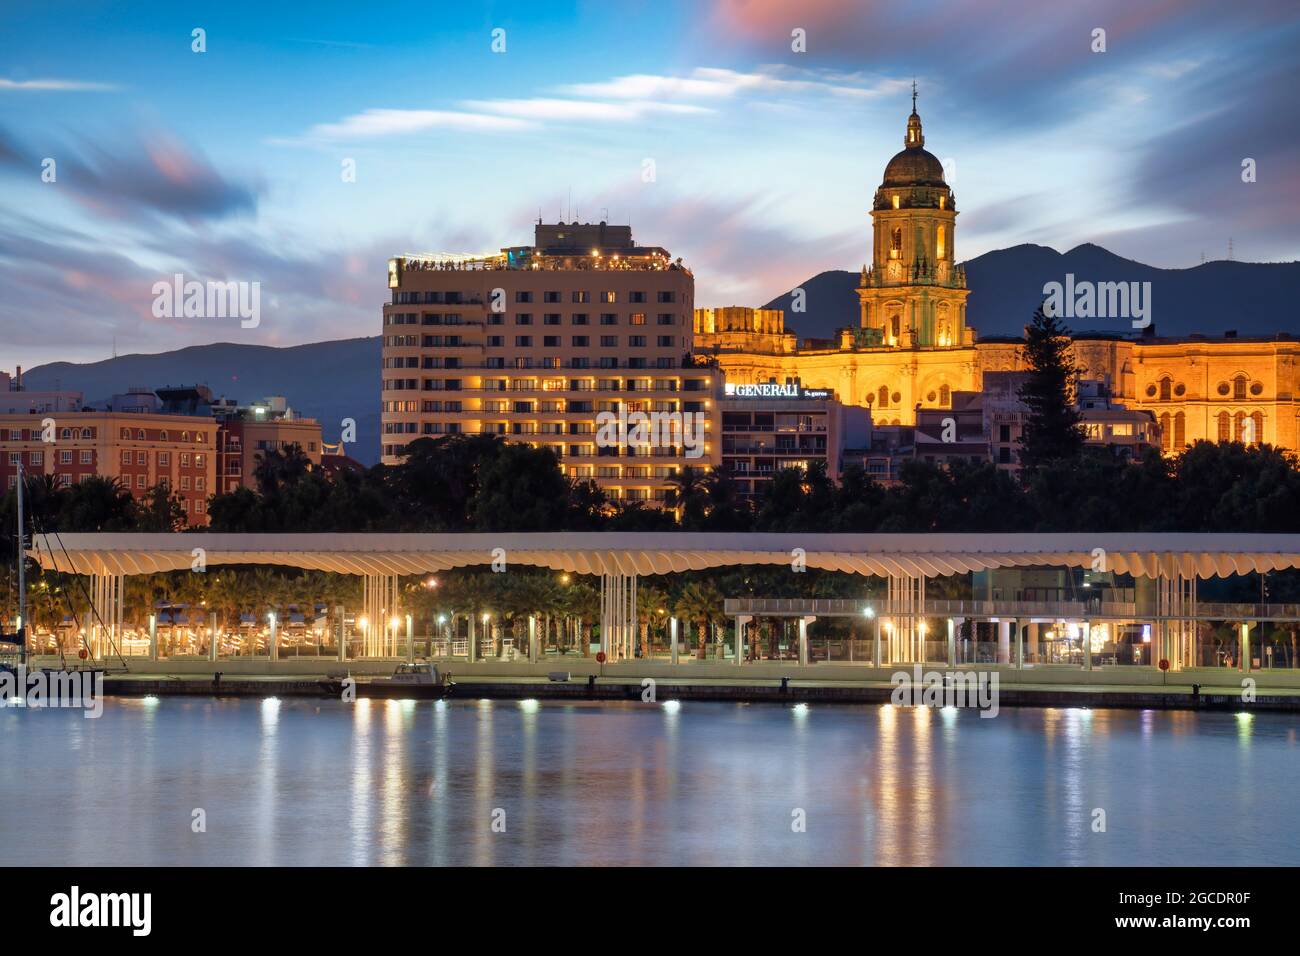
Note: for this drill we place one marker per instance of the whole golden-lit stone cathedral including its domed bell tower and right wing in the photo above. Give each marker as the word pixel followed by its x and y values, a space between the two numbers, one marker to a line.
pixel 913 347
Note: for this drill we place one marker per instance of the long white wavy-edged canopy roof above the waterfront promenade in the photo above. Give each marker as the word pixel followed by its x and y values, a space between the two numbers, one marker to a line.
pixel 644 553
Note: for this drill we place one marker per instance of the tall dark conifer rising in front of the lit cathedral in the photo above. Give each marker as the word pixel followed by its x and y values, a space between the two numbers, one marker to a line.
pixel 1052 431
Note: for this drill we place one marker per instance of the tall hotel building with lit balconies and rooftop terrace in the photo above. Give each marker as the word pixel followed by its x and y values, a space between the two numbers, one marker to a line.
pixel 534 344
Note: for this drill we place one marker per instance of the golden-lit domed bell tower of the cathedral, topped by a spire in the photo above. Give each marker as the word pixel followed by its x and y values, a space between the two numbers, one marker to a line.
pixel 913 296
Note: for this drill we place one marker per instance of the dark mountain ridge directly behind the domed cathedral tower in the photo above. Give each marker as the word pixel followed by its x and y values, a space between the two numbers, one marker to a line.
pixel 1007 287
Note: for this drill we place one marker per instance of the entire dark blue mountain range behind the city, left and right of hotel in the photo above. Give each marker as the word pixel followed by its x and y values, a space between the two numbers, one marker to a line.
pixel 341 379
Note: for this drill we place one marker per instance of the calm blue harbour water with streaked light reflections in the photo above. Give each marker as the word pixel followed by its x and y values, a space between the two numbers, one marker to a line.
pixel 305 782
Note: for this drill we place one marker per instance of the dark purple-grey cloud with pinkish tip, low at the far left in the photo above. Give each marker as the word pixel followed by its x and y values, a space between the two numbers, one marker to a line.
pixel 149 178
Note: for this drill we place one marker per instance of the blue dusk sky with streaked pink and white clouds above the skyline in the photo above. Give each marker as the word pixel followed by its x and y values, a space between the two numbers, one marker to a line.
pixel 128 157
